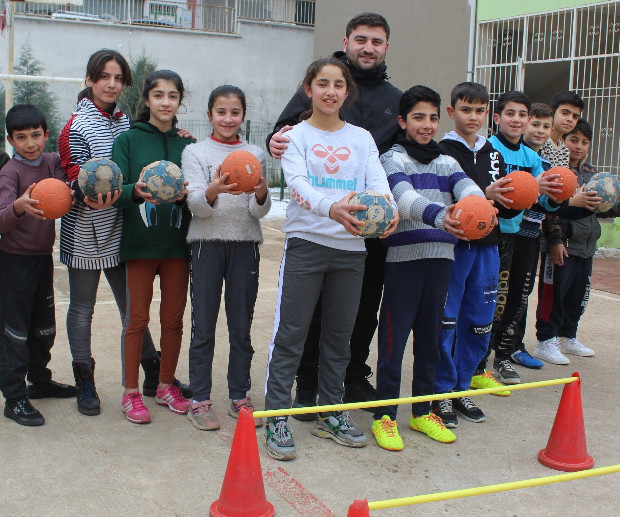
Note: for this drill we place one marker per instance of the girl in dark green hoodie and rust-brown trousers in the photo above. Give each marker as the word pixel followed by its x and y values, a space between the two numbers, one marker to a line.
pixel 153 241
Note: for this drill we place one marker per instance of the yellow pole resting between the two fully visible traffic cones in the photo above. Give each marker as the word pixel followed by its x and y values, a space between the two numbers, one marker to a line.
pixel 410 400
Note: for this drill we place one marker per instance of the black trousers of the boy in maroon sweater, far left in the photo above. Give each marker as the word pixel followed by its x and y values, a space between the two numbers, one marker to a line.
pixel 27 319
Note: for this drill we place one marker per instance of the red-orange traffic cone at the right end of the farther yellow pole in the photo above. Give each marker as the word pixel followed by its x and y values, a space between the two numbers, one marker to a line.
pixel 566 449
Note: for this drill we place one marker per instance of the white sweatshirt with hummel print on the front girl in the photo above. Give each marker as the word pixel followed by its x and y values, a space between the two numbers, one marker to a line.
pixel 322 167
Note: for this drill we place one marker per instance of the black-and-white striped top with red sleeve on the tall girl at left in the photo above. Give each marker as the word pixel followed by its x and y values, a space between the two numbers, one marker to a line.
pixel 89 239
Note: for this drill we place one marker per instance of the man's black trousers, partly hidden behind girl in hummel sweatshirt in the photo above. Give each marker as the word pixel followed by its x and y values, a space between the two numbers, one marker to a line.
pixel 363 331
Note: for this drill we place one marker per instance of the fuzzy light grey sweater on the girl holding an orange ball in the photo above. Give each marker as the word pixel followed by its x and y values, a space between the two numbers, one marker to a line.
pixel 232 217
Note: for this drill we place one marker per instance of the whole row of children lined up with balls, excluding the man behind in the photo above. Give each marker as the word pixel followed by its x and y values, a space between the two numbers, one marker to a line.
pixel 460 298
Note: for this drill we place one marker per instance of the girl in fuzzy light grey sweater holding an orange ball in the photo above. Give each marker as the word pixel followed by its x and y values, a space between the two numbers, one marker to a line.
pixel 224 236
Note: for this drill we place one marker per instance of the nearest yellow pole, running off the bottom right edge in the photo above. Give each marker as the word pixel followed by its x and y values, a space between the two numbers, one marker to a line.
pixel 490 489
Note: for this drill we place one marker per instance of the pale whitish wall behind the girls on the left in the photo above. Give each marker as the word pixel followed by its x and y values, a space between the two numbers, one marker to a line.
pixel 266 60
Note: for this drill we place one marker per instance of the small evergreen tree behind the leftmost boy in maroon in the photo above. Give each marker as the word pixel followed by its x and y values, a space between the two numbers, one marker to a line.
pixel 30 92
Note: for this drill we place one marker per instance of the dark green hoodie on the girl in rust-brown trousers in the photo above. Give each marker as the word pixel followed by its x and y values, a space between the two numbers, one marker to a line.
pixel 150 231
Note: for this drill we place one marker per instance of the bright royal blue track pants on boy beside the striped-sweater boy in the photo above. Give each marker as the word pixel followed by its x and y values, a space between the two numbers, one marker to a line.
pixel 468 315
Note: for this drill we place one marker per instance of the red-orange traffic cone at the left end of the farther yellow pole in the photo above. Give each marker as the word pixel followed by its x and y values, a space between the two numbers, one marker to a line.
pixel 243 491
